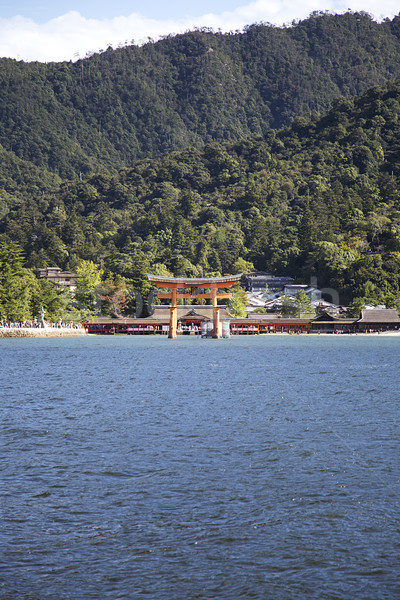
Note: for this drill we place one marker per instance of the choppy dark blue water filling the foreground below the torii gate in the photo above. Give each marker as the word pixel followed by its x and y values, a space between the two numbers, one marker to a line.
pixel 140 467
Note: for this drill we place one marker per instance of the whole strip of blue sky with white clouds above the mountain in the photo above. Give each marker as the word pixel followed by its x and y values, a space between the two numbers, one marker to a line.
pixel 55 30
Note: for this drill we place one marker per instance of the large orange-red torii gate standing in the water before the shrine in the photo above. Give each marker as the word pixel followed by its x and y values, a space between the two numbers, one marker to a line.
pixel 173 284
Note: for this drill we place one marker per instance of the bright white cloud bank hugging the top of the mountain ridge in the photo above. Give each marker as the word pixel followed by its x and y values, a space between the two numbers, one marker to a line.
pixel 72 35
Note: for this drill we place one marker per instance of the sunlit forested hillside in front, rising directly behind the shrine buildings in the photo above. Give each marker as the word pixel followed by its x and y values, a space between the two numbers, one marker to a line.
pixel 321 198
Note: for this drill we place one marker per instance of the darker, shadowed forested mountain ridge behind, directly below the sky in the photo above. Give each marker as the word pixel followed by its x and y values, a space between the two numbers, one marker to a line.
pixel 115 107
